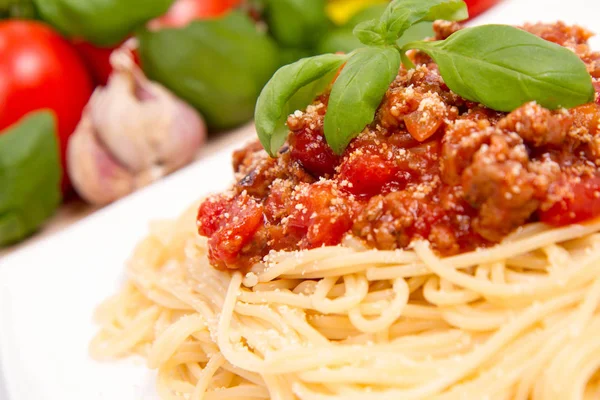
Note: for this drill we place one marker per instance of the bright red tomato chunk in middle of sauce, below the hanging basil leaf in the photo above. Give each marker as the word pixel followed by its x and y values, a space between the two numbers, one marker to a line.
pixel 369 174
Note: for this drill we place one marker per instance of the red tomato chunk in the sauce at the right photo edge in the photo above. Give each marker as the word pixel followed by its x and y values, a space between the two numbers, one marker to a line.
pixel 581 202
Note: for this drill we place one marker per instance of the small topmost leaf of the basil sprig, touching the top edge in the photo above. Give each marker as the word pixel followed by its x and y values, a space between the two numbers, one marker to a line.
pixel 402 14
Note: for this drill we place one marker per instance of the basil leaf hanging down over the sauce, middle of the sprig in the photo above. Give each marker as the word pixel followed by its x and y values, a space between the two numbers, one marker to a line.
pixel 357 93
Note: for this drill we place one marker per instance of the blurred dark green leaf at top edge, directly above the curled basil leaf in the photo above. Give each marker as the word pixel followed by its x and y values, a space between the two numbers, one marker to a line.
pixel 297 23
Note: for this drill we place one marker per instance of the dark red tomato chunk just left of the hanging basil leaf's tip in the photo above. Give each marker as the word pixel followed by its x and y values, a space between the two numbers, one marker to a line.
pixel 312 152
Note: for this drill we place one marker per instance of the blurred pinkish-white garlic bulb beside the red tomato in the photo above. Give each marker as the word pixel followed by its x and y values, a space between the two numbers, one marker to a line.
pixel 132 132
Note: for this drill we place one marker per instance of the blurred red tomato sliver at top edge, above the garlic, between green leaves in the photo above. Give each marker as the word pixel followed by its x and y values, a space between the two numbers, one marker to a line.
pixel 183 12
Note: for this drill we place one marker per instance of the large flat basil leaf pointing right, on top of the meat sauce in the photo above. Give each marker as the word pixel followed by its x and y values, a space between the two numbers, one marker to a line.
pixel 504 67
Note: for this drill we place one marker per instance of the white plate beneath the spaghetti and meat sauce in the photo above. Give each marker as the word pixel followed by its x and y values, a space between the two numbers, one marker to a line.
pixel 48 291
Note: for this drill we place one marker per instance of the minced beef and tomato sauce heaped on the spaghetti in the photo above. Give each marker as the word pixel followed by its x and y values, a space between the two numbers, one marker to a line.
pixel 431 165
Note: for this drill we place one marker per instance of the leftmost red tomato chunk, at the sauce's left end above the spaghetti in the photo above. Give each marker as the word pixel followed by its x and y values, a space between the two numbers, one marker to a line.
pixel 239 224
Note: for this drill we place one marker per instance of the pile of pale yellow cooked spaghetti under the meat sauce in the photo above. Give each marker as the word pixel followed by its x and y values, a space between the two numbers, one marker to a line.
pixel 516 321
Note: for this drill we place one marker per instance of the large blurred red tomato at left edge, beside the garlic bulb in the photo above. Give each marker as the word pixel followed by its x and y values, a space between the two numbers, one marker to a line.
pixel 39 69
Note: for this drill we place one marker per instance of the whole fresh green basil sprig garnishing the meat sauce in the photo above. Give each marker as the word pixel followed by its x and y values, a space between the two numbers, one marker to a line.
pixel 500 66
